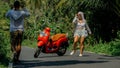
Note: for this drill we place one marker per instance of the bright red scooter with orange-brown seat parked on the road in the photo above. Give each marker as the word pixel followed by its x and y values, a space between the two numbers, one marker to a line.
pixel 58 43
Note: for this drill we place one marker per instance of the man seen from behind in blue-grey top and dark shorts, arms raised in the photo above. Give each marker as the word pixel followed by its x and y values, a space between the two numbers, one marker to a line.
pixel 16 16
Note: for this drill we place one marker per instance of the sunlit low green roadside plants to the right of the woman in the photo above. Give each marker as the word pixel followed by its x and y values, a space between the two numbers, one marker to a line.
pixel 112 48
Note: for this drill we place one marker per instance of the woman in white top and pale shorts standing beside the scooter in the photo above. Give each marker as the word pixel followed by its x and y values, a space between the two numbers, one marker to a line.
pixel 80 32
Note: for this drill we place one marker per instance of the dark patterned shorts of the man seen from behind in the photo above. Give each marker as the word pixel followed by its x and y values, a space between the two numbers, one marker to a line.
pixel 16 37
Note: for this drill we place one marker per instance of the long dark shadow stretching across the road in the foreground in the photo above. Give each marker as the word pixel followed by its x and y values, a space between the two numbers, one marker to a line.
pixel 37 63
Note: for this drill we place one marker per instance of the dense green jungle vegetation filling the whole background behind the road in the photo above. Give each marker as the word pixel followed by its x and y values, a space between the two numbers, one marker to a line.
pixel 103 17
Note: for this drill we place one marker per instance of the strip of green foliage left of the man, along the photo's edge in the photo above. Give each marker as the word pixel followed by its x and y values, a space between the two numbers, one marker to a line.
pixel 4 36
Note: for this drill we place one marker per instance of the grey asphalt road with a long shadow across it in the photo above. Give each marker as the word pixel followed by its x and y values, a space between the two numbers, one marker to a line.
pixel 88 60
